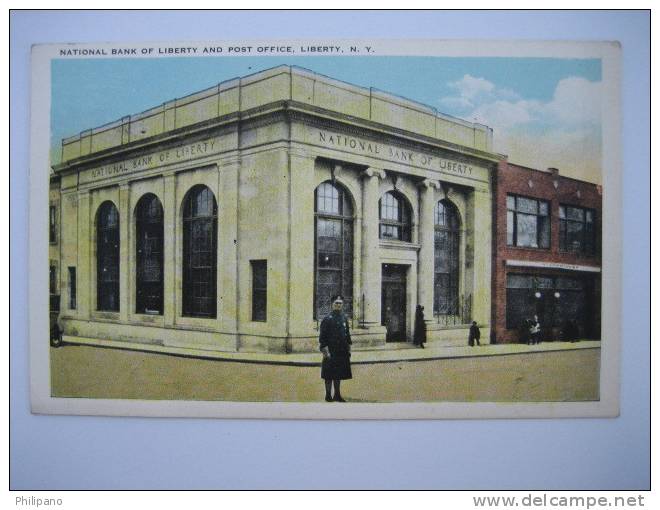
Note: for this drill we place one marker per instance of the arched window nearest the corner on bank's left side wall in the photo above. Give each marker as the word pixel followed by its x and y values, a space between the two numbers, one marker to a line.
pixel 200 224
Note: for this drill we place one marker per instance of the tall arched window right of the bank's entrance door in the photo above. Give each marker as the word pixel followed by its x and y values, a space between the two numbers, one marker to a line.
pixel 447 236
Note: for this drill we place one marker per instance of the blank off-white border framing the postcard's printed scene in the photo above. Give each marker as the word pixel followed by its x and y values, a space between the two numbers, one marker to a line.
pixel 607 406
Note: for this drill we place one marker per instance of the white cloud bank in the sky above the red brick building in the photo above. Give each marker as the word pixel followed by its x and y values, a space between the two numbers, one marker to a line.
pixel 563 132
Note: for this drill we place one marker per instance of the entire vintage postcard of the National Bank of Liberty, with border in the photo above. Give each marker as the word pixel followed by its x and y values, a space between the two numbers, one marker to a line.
pixel 326 229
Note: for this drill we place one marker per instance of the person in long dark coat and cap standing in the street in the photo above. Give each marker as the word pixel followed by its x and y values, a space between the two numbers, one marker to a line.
pixel 335 344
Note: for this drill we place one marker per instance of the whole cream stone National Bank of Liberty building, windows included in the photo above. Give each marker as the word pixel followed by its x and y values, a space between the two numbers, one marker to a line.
pixel 225 220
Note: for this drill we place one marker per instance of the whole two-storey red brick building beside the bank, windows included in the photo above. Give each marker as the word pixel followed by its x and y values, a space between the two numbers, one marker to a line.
pixel 546 254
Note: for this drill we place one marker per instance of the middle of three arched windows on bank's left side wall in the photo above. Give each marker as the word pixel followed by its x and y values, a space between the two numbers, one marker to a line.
pixel 149 255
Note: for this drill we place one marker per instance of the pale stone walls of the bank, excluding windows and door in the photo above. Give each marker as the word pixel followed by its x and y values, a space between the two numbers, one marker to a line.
pixel 263 144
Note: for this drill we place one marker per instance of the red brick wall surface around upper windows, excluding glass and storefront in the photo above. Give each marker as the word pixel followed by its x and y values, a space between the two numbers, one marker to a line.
pixel 513 179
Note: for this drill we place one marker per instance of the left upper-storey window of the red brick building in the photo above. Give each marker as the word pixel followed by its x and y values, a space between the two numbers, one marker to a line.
pixel 527 222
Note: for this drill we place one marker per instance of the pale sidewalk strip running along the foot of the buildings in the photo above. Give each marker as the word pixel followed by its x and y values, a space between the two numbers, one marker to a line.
pixel 391 353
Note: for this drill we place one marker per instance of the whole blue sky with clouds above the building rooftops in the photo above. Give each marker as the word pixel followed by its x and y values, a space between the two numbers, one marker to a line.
pixel 544 111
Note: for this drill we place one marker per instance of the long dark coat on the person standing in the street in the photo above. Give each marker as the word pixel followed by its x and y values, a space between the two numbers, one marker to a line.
pixel 337 338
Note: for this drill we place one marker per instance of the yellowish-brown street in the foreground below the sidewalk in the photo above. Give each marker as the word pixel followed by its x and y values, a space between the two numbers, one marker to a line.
pixel 95 372
